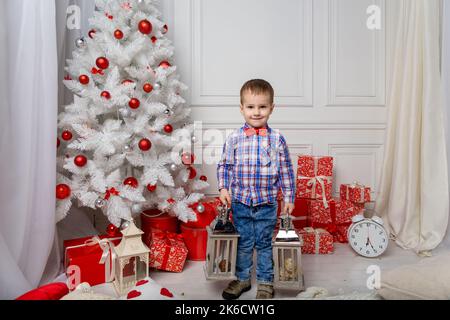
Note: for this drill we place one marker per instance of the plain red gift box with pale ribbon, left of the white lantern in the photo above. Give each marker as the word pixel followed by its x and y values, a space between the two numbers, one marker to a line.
pixel 93 256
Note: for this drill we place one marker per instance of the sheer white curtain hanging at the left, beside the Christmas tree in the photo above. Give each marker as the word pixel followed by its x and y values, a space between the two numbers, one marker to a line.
pixel 28 111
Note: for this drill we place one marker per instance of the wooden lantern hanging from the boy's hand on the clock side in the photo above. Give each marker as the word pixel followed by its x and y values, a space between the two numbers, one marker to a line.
pixel 287 257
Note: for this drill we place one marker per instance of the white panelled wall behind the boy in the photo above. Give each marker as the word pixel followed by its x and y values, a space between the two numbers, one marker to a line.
pixel 329 71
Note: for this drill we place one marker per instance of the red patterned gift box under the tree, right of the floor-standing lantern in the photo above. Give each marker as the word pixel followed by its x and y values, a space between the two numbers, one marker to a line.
pixel 167 252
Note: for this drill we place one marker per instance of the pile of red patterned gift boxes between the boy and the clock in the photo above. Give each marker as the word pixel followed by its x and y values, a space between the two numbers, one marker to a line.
pixel 324 220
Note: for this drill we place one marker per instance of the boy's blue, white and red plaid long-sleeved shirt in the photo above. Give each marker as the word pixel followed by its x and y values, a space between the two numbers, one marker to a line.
pixel 255 167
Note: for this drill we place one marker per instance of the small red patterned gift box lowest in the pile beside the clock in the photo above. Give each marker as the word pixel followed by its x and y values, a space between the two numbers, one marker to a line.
pixel 316 241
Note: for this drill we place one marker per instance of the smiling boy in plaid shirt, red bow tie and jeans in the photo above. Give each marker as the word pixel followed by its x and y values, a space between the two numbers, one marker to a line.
pixel 254 165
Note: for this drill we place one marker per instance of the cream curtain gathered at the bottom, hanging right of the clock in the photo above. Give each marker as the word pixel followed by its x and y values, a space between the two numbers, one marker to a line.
pixel 414 194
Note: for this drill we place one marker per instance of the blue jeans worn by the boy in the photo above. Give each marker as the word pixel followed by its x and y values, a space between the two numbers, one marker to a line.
pixel 255 226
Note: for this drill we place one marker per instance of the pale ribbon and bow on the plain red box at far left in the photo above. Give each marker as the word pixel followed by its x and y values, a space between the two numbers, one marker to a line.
pixel 108 255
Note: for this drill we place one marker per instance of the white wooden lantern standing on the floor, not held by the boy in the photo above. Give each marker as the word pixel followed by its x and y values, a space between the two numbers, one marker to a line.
pixel 132 259
